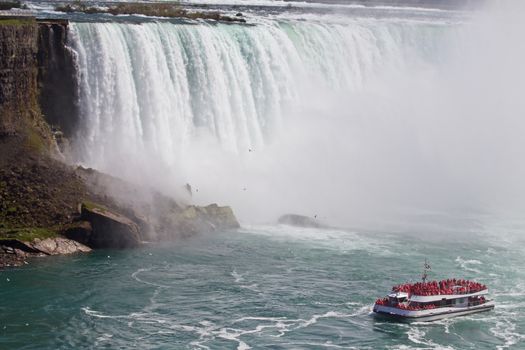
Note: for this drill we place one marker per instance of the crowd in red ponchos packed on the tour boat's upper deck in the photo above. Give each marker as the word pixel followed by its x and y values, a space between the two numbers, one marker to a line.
pixel 444 287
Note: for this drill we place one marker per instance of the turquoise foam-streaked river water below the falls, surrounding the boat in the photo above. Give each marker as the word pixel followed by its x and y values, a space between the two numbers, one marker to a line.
pixel 273 287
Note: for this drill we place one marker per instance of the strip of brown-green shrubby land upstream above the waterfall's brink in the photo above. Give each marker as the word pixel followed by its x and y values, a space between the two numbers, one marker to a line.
pixel 169 10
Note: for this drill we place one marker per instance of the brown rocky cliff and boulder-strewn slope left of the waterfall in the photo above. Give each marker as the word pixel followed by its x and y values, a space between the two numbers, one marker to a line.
pixel 42 199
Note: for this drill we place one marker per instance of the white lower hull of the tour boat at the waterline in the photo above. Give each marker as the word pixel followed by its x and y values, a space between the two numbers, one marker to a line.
pixel 430 315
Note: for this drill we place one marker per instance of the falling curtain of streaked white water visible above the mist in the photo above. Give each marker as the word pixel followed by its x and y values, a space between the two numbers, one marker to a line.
pixel 147 89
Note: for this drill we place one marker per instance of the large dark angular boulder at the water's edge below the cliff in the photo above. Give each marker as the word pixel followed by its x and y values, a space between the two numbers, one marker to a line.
pixel 110 229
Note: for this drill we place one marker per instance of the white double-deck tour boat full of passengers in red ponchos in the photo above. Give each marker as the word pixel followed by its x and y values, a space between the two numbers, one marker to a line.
pixel 433 300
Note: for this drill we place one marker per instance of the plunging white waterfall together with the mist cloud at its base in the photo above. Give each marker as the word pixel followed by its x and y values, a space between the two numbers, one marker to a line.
pixel 337 119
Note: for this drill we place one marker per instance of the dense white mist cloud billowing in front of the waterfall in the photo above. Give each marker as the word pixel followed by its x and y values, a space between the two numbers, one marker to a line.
pixel 430 137
